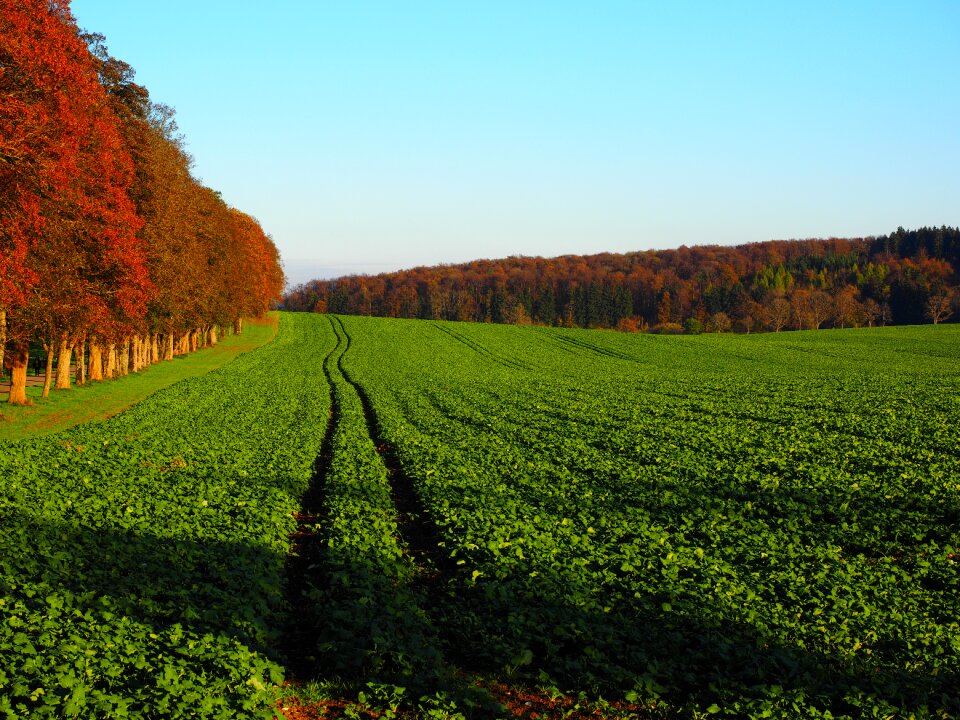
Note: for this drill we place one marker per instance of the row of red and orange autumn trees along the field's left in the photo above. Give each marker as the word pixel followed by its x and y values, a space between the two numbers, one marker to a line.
pixel 112 255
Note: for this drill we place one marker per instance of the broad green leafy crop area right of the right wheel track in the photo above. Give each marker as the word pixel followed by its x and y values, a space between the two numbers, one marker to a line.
pixel 749 526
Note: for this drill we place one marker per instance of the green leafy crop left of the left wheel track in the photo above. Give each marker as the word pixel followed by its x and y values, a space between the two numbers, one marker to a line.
pixel 141 558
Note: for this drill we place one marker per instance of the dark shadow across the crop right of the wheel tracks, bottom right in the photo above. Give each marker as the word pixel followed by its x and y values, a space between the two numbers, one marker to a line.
pixel 537 631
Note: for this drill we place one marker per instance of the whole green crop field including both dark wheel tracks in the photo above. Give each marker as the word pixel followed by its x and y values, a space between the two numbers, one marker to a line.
pixel 466 520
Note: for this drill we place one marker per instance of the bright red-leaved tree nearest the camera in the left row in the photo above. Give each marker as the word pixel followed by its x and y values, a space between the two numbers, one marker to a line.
pixel 68 176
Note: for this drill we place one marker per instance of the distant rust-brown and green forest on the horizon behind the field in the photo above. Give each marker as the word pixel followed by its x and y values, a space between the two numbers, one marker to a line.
pixel 906 277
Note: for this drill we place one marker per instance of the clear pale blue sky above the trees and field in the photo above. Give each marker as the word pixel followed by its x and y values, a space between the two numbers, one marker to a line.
pixel 372 136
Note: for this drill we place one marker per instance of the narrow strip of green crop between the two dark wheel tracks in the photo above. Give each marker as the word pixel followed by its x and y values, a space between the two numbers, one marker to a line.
pixel 371 624
